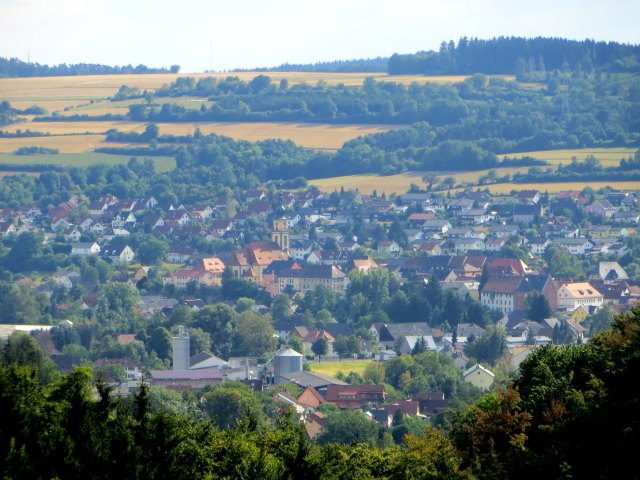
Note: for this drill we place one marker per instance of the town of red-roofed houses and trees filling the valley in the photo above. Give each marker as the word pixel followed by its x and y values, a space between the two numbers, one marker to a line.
pixel 265 288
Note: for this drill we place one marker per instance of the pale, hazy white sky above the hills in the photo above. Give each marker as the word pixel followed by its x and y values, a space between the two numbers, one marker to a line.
pixel 201 35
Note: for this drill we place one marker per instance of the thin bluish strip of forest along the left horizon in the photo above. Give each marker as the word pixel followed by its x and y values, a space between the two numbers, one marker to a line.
pixel 13 67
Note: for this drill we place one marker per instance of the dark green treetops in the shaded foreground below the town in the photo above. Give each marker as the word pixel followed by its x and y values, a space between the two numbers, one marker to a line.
pixel 571 413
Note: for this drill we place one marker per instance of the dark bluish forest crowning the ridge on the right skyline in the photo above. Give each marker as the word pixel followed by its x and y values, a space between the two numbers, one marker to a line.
pixel 519 56
